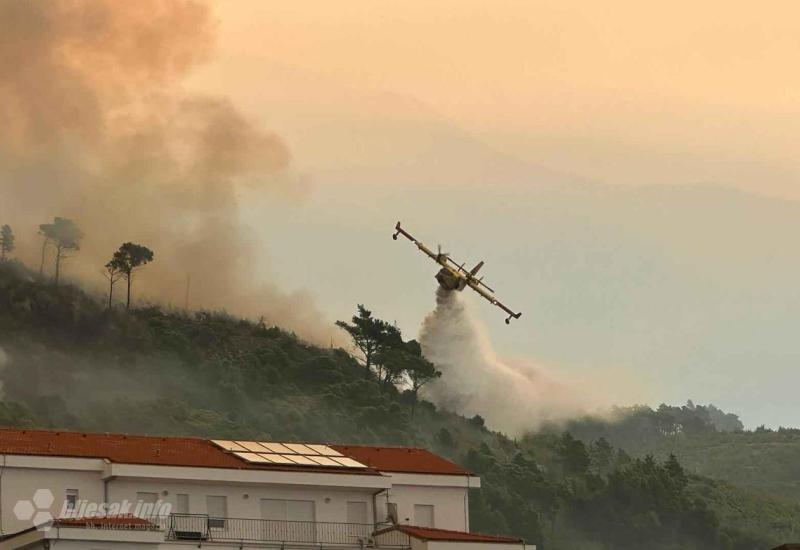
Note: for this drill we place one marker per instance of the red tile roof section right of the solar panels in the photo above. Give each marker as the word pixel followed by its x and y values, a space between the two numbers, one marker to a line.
pixel 402 460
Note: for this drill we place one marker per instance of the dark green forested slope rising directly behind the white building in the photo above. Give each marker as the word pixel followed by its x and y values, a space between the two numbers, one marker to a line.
pixel 68 361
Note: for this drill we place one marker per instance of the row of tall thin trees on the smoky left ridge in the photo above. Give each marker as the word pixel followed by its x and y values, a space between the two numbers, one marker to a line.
pixel 63 237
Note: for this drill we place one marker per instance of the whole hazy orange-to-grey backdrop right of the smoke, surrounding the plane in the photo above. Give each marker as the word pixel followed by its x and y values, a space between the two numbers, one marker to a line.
pixel 627 169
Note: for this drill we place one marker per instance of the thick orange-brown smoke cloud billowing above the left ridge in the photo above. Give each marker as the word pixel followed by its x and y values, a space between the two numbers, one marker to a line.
pixel 94 126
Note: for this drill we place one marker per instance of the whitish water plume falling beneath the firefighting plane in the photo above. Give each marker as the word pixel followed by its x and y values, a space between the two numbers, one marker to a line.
pixel 512 397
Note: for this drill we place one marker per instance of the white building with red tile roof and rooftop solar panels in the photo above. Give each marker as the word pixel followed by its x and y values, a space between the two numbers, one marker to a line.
pixel 104 491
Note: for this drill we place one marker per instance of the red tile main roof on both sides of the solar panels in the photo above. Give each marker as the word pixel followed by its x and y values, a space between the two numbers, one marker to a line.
pixel 196 452
